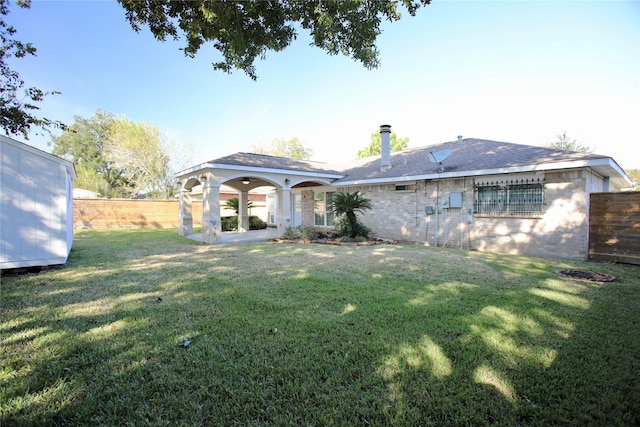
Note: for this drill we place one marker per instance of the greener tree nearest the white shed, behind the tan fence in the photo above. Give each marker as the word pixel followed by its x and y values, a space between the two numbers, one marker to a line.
pixel 84 143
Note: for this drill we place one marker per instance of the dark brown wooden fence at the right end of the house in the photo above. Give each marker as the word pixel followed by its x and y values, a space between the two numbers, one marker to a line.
pixel 614 227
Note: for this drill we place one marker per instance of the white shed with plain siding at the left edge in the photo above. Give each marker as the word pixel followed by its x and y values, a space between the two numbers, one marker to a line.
pixel 36 206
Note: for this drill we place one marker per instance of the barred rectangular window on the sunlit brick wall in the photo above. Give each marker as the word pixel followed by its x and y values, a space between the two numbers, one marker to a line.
pixel 517 197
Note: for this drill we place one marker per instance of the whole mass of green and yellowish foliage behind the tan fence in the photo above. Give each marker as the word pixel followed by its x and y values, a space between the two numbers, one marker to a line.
pixel 117 157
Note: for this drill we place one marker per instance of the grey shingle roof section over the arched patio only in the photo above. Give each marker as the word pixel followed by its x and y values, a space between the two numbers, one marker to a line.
pixel 273 162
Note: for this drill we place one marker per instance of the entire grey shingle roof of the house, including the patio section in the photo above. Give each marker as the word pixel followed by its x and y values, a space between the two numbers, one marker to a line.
pixel 468 157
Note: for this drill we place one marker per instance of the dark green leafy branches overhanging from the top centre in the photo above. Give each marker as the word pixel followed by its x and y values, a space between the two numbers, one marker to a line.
pixel 245 30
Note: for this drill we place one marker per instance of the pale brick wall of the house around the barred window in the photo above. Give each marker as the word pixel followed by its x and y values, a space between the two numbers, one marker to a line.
pixel 561 231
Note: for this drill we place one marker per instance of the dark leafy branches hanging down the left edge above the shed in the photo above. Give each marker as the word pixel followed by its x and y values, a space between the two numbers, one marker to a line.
pixel 17 111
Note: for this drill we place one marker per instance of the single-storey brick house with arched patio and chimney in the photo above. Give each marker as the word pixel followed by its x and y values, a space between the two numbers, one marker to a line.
pixel 468 193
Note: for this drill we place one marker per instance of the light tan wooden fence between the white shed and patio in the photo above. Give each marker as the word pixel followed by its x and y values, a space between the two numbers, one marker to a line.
pixel 125 213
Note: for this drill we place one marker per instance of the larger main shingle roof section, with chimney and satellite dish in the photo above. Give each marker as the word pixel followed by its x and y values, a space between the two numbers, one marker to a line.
pixel 467 155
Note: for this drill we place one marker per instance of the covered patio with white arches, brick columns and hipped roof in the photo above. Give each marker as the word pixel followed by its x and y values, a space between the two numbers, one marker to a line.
pixel 245 172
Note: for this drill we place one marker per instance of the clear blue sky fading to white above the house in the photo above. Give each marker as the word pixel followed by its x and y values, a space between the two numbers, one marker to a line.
pixel 516 71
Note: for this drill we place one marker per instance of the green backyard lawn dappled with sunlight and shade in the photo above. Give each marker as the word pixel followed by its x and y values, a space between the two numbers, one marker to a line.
pixel 315 335
